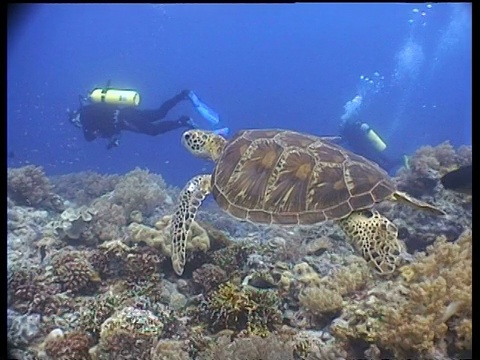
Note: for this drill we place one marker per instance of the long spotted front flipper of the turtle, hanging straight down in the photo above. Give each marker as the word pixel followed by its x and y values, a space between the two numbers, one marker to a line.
pixel 189 202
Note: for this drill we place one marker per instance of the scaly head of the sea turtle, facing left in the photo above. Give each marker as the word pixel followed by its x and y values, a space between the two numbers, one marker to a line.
pixel 204 144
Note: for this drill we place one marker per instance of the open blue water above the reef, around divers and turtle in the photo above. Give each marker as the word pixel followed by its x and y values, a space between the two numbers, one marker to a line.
pixel 292 66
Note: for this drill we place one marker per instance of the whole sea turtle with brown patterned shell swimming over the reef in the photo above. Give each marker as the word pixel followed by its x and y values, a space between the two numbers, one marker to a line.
pixel 276 176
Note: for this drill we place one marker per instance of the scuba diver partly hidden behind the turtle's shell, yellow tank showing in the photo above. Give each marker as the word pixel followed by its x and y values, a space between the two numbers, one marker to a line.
pixel 363 140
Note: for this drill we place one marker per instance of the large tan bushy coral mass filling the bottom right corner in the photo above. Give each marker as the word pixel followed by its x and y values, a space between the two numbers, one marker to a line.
pixel 428 309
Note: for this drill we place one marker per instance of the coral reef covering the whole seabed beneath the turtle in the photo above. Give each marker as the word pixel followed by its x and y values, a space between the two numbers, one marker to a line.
pixel 99 285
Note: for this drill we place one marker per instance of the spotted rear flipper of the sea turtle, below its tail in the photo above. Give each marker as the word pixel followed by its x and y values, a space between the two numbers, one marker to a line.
pixel 376 238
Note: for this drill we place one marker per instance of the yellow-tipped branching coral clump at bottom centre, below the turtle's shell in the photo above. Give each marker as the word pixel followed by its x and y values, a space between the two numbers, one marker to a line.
pixel 242 309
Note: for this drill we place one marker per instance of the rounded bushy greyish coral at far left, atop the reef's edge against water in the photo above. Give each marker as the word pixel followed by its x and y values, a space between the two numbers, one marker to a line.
pixel 28 185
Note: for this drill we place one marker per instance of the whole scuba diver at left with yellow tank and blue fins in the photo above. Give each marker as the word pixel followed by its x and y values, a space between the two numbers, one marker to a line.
pixel 107 112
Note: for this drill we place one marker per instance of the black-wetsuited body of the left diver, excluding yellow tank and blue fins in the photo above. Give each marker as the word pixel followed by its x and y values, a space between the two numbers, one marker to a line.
pixel 103 120
